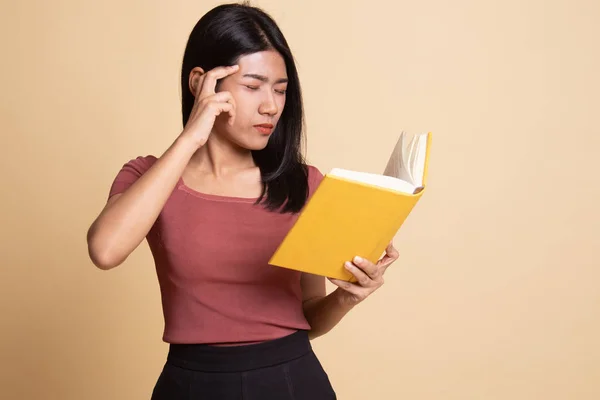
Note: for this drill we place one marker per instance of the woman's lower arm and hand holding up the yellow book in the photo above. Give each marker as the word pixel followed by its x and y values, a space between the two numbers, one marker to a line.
pixel 322 311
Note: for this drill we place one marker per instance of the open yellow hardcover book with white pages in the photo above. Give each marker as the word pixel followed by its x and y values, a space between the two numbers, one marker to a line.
pixel 356 213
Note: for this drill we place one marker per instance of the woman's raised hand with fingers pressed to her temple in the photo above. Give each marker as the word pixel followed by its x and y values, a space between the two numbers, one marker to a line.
pixel 208 105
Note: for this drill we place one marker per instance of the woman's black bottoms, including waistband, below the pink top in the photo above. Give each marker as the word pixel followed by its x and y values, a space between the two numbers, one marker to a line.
pixel 285 368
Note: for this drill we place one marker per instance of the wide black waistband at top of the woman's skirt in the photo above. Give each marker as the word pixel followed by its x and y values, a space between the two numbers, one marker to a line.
pixel 202 357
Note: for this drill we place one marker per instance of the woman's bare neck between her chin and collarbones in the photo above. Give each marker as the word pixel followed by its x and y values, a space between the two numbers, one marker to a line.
pixel 220 157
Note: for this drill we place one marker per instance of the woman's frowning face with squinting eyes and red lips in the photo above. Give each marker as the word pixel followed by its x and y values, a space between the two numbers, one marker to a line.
pixel 258 89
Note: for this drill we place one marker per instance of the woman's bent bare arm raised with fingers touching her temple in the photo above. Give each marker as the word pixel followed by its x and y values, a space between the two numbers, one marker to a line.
pixel 128 217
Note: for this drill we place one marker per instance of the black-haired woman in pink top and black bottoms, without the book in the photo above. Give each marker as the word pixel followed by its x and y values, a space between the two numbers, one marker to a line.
pixel 213 208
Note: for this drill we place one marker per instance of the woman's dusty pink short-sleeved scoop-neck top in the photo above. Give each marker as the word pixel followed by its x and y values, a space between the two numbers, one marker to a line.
pixel 211 257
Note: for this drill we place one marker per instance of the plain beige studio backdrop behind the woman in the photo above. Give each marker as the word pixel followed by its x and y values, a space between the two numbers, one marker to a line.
pixel 496 294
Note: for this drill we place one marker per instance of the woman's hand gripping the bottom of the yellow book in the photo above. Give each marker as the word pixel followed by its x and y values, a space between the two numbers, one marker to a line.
pixel 369 277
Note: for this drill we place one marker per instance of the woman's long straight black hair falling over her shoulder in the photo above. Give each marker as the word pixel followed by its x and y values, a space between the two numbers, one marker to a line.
pixel 220 38
